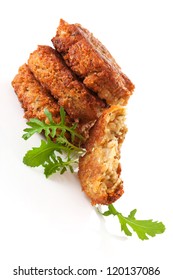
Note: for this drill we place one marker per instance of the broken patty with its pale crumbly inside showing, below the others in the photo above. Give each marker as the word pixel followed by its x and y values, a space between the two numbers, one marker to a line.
pixel 99 169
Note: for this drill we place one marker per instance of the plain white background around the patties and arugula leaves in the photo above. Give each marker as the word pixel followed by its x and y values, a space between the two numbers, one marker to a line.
pixel 50 222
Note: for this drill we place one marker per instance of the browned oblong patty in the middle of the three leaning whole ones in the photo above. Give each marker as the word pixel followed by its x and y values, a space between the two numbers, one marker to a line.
pixel 49 68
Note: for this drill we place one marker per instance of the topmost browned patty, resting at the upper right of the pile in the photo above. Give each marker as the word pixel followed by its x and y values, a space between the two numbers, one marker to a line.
pixel 92 62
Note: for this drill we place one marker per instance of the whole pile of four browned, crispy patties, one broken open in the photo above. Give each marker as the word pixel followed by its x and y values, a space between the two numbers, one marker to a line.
pixel 81 76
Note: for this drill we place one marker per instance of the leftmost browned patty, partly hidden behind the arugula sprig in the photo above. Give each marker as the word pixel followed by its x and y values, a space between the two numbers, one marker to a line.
pixel 33 97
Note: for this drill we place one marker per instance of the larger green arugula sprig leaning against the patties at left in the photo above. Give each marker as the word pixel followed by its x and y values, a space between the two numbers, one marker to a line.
pixel 54 145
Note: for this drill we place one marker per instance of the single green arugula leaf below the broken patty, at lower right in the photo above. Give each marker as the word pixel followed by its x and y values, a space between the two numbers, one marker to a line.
pixel 143 228
